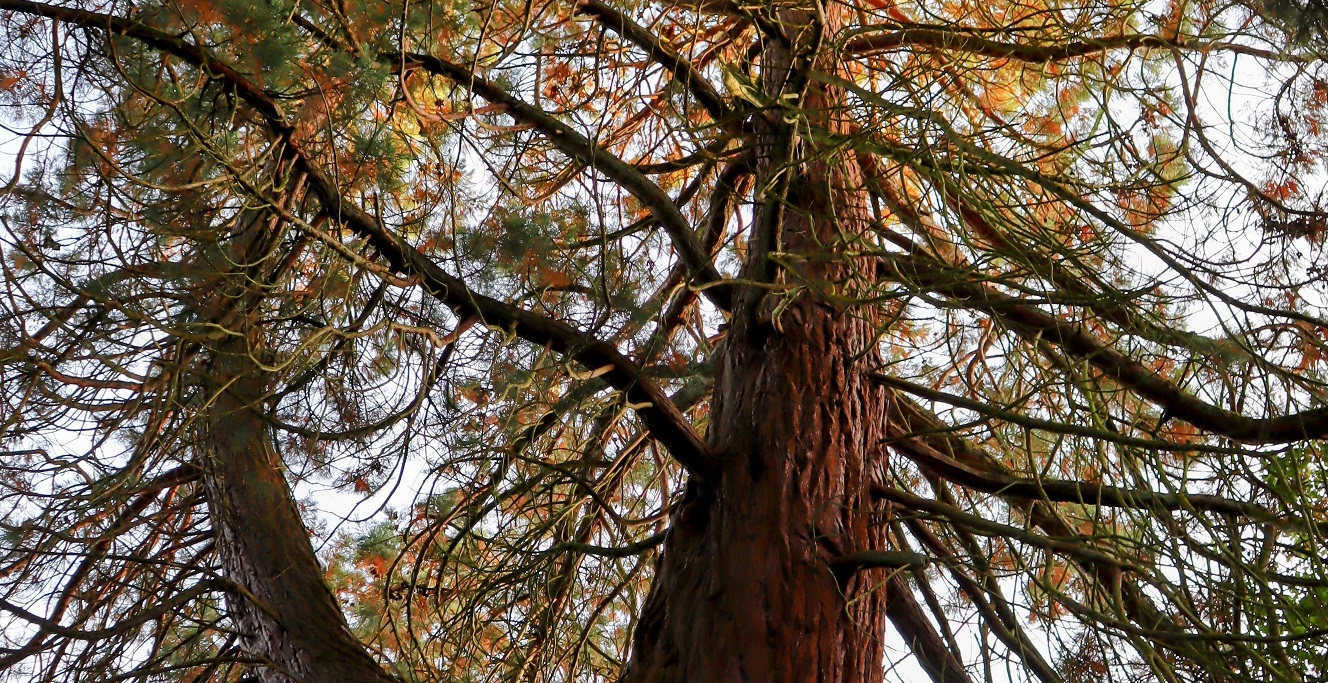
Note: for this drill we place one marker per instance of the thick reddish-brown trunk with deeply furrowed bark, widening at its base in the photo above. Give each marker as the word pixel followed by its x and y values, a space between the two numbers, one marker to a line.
pixel 743 589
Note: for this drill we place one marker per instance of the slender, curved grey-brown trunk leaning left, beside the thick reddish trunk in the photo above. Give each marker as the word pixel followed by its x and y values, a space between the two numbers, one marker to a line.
pixel 281 604
